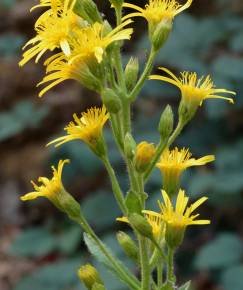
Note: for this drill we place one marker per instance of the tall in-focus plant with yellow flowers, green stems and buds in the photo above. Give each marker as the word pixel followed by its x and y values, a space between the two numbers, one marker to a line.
pixel 83 46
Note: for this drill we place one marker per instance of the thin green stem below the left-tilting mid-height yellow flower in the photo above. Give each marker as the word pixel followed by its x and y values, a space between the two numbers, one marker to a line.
pixel 115 186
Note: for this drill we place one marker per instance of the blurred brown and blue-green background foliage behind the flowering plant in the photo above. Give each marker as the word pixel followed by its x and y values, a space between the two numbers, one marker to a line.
pixel 39 247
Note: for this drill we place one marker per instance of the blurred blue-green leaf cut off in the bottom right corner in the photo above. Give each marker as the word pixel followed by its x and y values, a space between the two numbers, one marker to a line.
pixel 232 278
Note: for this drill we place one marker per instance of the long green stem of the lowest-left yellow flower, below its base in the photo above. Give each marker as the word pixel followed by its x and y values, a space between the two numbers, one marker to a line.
pixel 127 277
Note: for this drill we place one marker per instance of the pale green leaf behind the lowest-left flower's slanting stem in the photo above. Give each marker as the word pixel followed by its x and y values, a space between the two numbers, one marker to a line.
pixel 102 258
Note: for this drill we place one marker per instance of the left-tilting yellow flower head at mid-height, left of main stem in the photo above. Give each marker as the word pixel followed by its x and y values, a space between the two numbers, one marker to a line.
pixel 87 128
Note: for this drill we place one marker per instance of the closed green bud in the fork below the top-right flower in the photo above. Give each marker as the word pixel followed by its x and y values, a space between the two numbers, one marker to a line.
pixel 131 73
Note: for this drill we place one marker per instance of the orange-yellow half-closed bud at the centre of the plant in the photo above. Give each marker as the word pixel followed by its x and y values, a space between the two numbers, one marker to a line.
pixel 144 154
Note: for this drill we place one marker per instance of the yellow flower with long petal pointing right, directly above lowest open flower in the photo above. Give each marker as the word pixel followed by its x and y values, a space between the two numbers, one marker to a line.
pixel 173 163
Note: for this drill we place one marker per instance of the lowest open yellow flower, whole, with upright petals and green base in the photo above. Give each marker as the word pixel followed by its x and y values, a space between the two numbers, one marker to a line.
pixel 179 217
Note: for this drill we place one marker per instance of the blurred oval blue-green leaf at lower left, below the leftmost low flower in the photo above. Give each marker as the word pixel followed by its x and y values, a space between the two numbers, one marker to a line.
pixel 34 242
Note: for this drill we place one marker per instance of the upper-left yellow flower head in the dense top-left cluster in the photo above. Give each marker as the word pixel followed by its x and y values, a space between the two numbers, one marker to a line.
pixel 54 30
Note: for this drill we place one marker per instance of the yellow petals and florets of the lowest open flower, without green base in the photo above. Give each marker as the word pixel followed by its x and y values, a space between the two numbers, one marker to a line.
pixel 180 216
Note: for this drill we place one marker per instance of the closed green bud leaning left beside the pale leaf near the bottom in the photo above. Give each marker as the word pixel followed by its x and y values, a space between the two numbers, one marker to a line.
pixel 128 245
